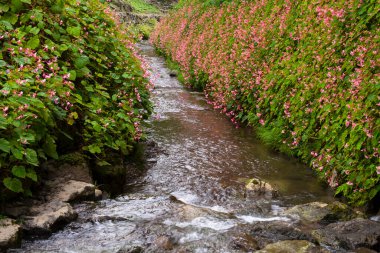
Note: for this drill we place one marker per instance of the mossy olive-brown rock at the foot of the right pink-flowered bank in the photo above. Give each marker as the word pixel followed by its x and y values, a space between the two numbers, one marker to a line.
pixel 322 212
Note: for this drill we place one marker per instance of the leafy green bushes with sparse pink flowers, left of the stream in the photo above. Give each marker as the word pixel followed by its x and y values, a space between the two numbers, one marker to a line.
pixel 69 80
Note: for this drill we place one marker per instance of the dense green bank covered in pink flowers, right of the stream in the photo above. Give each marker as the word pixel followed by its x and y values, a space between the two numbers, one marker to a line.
pixel 305 74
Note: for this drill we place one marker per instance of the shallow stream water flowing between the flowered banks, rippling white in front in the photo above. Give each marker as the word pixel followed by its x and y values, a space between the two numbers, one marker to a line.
pixel 192 197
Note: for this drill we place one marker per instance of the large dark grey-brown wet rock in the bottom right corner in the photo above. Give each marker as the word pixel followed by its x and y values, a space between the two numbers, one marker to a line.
pixel 350 235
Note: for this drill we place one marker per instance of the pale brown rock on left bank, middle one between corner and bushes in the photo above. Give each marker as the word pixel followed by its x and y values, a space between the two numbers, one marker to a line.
pixel 49 217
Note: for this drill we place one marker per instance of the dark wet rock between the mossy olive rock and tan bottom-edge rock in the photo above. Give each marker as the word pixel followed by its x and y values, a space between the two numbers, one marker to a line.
pixel 270 232
